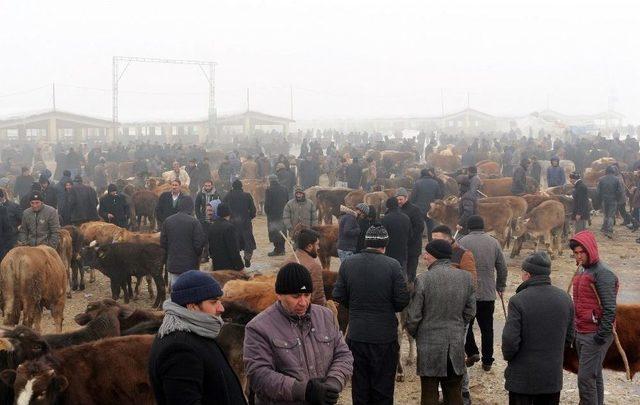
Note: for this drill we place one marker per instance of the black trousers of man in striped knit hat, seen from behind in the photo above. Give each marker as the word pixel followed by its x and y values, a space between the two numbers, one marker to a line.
pixel 374 372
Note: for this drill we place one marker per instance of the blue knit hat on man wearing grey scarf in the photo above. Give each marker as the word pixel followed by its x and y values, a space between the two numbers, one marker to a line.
pixel 193 287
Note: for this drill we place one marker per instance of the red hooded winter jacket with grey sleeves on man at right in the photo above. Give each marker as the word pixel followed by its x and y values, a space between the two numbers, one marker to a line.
pixel 590 315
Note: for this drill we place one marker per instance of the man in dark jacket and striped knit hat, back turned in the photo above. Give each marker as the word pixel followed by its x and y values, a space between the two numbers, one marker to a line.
pixel 372 286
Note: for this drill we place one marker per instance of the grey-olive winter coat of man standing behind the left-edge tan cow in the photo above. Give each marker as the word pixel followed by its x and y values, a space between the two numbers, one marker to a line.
pixel 40 228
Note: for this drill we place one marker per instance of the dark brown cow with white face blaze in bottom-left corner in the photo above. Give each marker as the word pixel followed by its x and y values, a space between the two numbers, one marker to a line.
pixel 108 371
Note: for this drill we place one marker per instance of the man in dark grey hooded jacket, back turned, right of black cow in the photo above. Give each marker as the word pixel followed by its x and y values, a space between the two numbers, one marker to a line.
pixel 182 238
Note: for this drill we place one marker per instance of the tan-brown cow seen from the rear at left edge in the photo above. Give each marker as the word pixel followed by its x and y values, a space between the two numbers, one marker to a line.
pixel 32 278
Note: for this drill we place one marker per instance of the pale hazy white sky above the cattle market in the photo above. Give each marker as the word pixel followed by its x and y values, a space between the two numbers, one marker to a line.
pixel 342 58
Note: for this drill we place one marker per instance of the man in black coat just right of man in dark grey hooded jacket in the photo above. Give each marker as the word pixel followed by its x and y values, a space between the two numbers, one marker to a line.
pixel 223 242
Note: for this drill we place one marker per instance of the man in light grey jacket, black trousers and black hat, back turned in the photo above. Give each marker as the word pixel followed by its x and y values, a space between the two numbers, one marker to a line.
pixel 491 270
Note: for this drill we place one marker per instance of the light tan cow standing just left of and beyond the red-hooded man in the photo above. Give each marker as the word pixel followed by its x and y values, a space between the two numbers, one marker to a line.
pixel 546 221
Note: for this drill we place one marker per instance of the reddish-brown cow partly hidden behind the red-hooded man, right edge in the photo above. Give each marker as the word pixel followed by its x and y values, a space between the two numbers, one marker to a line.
pixel 628 329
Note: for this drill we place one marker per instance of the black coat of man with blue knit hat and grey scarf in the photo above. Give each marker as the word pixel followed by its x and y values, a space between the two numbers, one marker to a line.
pixel 185 368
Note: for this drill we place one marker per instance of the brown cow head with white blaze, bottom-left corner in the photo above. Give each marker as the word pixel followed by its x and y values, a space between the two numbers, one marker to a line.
pixel 35 383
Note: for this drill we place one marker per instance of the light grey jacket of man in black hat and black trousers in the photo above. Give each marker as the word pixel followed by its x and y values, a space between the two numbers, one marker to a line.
pixel 491 267
